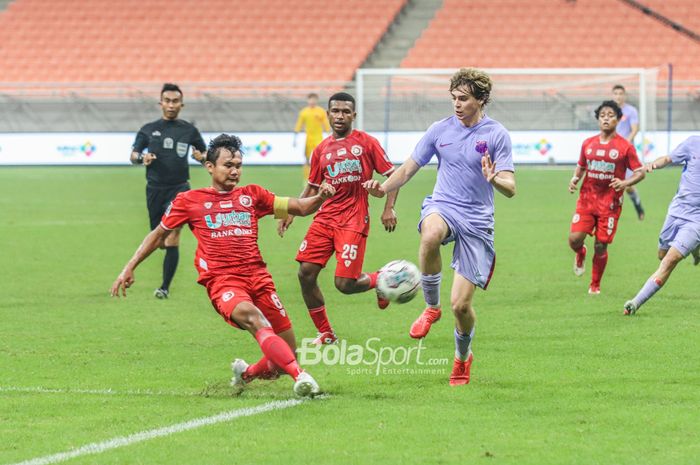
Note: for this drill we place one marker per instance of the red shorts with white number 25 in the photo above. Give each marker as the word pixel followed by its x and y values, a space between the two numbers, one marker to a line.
pixel 320 243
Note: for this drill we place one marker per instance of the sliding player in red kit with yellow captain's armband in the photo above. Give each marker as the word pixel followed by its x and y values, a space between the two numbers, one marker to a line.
pixel 224 219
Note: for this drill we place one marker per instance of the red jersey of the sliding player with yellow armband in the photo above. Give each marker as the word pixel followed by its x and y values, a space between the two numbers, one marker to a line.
pixel 225 225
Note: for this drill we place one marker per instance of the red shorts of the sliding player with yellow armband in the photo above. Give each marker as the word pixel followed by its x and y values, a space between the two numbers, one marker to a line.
pixel 256 287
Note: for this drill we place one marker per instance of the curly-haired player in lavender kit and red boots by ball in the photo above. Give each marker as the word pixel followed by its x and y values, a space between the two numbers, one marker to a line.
pixel 475 157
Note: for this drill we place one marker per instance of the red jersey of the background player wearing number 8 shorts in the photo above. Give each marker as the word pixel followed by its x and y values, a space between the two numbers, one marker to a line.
pixel 604 162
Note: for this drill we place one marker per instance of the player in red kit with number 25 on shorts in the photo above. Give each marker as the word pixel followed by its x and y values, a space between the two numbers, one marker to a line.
pixel 345 160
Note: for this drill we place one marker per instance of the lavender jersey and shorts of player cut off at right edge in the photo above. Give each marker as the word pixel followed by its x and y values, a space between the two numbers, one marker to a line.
pixel 681 229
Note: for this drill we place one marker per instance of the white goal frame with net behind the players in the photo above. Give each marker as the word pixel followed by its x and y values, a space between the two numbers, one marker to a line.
pixel 523 99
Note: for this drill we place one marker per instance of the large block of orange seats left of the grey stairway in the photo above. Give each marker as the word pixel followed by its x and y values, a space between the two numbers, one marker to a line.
pixel 133 41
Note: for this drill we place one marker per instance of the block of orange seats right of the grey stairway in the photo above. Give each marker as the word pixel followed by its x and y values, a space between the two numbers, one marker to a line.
pixel 549 33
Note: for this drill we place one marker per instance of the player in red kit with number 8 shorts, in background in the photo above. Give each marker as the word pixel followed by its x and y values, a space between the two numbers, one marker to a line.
pixel 604 159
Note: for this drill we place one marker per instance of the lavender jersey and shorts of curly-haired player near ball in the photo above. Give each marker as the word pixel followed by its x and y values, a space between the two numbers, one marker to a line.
pixel 462 196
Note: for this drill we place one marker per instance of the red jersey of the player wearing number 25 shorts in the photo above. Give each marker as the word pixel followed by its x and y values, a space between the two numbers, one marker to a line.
pixel 345 164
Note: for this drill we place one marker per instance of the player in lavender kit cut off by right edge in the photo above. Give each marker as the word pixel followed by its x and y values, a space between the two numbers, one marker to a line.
pixel 680 234
